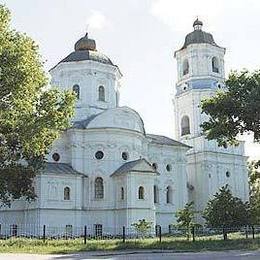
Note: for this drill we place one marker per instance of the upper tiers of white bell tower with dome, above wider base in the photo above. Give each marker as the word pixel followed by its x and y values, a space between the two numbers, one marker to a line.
pixel 200 69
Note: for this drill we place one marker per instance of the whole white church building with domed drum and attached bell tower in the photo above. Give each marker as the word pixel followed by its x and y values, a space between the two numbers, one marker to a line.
pixel 107 172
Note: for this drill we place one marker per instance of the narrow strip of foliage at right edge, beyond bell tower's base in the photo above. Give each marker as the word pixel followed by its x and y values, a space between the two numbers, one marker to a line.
pixel 254 199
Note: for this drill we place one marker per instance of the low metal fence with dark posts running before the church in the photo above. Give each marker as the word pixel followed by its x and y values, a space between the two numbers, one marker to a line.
pixel 99 231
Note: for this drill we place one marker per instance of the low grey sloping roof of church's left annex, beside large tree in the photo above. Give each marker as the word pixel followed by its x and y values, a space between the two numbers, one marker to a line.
pixel 59 168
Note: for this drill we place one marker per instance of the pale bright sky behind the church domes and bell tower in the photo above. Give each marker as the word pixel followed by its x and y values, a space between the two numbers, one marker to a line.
pixel 140 36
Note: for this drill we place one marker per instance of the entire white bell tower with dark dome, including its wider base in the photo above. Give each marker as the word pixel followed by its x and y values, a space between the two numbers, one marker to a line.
pixel 200 65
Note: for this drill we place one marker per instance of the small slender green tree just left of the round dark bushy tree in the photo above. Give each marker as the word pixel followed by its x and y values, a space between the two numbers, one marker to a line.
pixel 185 218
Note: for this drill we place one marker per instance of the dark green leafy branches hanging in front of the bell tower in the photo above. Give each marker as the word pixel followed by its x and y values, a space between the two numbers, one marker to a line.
pixel 235 110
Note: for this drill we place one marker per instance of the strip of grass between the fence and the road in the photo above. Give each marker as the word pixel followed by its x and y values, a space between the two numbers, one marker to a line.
pixel 213 243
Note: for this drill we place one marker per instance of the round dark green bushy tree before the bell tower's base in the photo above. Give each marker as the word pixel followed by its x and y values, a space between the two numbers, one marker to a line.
pixel 226 211
